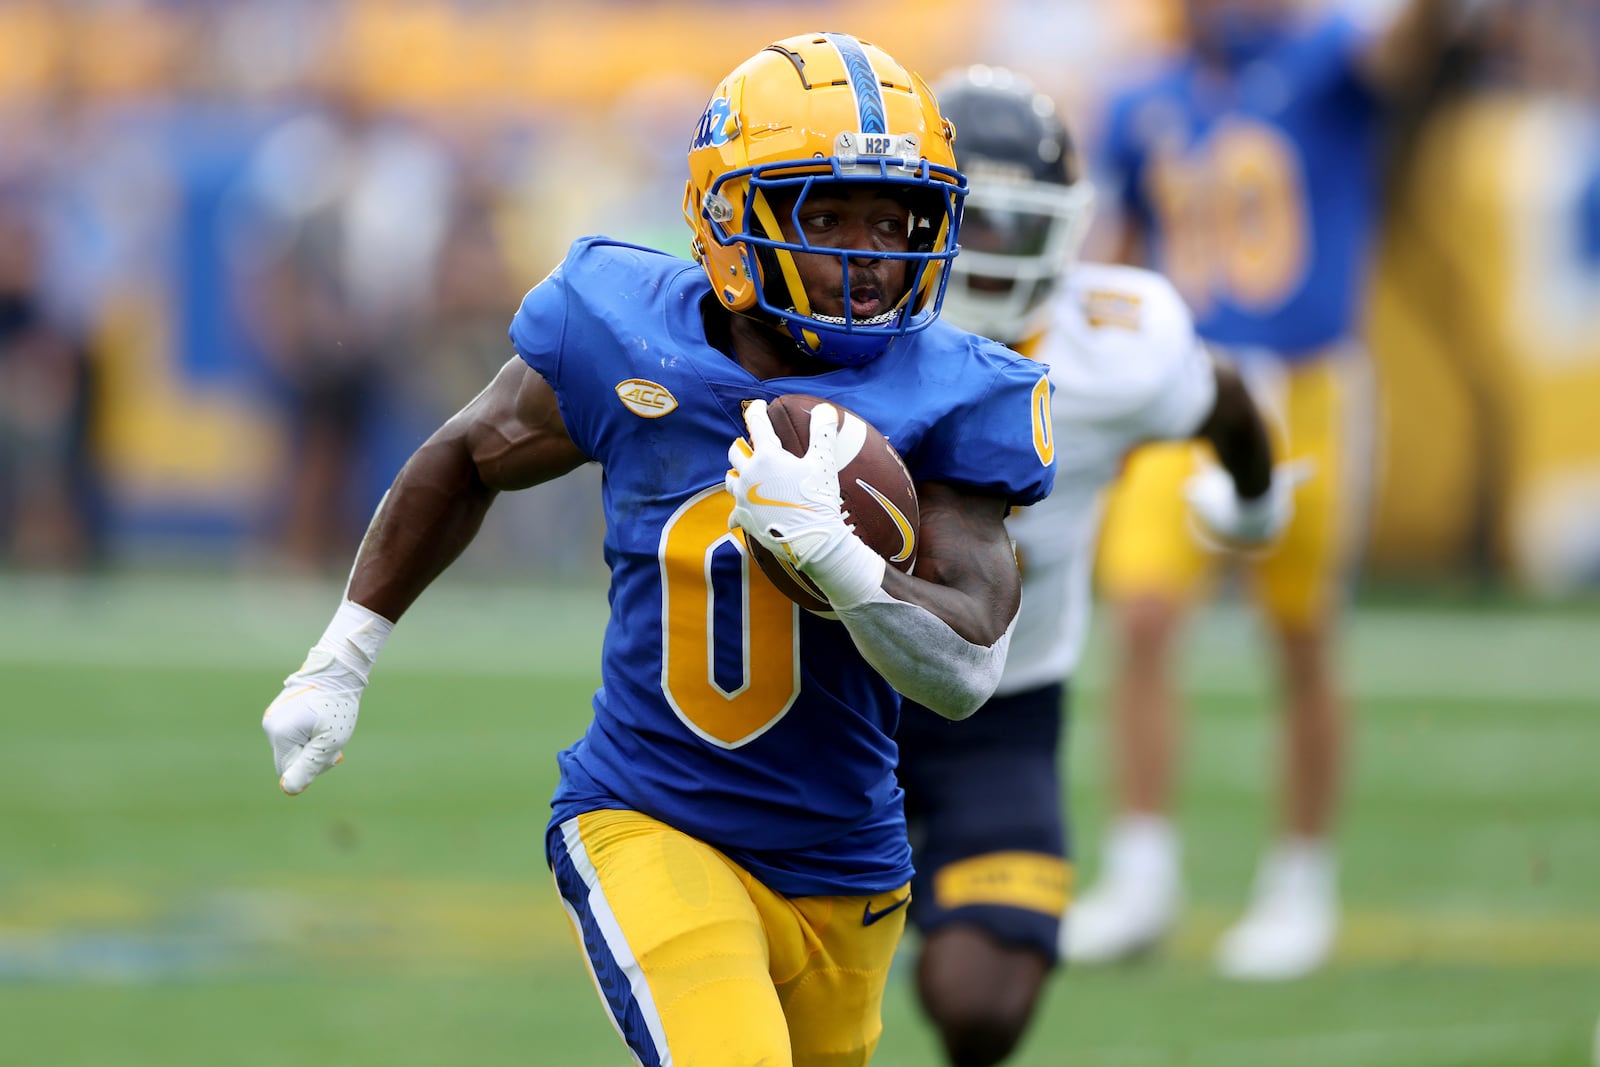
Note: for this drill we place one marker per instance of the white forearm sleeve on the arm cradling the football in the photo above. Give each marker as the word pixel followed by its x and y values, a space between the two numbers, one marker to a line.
pixel 924 658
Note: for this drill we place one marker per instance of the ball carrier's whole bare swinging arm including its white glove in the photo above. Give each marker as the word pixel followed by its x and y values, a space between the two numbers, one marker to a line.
pixel 511 436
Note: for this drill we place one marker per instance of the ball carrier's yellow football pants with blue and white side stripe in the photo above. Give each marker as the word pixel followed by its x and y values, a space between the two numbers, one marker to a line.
pixel 702 965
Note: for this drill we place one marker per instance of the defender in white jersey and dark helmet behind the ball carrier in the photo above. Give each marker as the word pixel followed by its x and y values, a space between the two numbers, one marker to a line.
pixel 983 796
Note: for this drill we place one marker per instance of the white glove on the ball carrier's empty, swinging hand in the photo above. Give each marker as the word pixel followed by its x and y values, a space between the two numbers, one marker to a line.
pixel 314 717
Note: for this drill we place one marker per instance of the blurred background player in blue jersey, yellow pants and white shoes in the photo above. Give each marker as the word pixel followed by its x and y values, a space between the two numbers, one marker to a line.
pixel 1249 172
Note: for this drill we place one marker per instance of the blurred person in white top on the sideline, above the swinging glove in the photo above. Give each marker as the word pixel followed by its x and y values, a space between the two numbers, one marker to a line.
pixel 346 210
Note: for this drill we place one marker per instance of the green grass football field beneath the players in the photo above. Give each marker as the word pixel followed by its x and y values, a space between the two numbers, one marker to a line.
pixel 162 905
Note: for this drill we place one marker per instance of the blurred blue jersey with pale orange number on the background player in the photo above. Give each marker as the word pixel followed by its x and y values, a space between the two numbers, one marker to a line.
pixel 1260 188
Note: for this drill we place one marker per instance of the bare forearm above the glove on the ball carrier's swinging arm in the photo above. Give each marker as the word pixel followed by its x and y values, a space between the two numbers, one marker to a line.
pixel 430 516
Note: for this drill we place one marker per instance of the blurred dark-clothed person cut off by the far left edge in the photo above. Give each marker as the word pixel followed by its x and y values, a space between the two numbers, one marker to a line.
pixel 49 487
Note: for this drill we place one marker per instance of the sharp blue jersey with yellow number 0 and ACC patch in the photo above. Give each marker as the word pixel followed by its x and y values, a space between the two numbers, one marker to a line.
pixel 727 711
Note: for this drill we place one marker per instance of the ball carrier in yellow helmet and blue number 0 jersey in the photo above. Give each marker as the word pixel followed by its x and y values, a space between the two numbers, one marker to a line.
pixel 729 836
